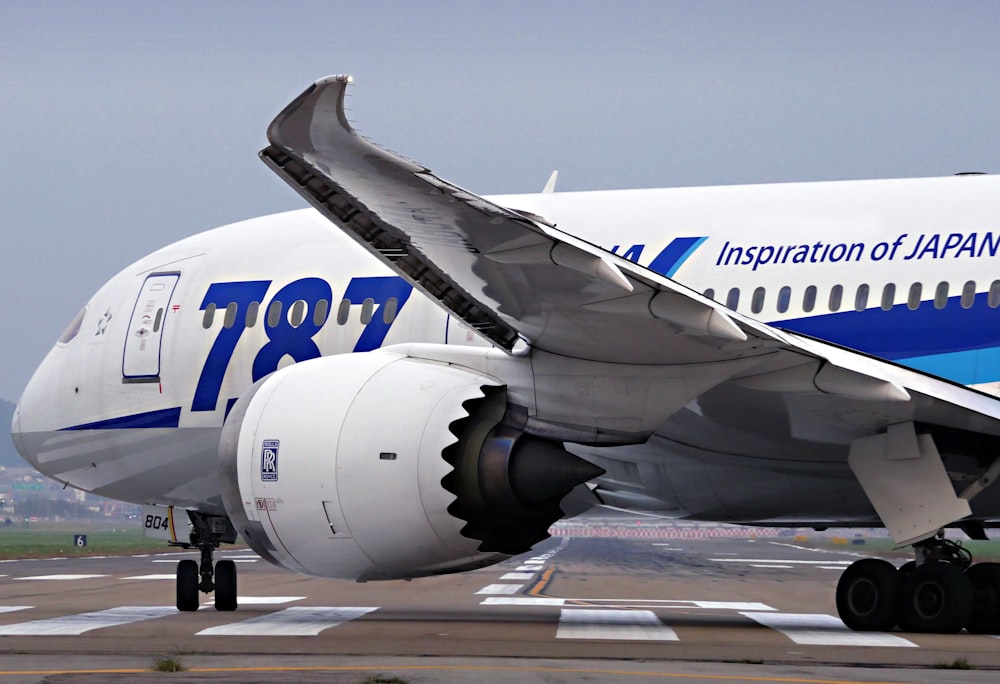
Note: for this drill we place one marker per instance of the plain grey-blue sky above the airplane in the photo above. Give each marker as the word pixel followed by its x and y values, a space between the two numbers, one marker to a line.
pixel 126 126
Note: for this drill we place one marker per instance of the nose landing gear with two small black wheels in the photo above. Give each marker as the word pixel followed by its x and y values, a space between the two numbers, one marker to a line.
pixel 207 533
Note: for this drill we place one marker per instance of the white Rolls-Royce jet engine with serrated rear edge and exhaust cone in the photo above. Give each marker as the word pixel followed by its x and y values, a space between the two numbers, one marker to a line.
pixel 380 466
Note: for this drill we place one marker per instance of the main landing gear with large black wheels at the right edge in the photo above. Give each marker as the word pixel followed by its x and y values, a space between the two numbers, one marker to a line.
pixel 941 591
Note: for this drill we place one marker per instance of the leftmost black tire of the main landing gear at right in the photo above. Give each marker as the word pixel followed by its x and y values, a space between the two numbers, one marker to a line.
pixel 868 596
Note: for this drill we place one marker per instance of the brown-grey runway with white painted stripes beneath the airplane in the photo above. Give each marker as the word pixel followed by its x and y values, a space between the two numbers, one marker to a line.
pixel 749 603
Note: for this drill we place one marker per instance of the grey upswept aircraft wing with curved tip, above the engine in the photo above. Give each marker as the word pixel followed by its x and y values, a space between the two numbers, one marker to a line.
pixel 513 275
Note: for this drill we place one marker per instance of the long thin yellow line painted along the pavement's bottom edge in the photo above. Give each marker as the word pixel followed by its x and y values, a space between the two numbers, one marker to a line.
pixel 459 668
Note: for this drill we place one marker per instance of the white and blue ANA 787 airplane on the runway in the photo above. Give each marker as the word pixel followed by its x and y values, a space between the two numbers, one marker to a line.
pixel 409 379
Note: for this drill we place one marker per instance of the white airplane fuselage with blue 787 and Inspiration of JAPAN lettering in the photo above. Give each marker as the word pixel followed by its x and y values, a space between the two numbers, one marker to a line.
pixel 131 407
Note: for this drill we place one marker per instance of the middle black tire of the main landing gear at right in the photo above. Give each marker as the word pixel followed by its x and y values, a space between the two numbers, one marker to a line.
pixel 937 597
